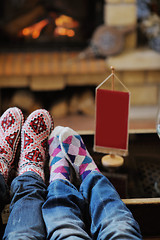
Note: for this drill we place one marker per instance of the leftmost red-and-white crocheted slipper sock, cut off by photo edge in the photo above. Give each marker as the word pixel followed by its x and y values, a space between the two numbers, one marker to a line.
pixel 10 126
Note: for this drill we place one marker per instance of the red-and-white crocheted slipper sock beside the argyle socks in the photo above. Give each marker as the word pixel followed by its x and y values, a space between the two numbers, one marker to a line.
pixel 34 139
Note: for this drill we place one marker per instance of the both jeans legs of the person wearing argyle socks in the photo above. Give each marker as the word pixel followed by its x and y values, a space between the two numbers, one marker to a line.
pixel 94 212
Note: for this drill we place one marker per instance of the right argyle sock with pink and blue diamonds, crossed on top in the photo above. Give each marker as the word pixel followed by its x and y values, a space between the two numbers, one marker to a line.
pixel 76 153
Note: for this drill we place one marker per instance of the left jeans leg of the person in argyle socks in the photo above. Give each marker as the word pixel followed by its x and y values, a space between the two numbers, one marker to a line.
pixel 62 212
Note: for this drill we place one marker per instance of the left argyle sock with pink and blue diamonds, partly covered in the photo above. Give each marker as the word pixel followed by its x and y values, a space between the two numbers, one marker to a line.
pixel 59 167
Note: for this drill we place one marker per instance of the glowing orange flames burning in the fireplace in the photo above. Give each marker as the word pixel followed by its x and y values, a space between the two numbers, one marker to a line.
pixel 65 26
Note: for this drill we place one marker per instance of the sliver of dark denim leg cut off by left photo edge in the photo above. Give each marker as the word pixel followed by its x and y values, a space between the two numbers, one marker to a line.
pixel 4 198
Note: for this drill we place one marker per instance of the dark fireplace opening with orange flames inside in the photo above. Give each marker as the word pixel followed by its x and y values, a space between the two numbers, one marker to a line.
pixel 52 24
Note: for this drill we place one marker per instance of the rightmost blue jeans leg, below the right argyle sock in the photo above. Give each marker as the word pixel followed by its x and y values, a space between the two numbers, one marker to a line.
pixel 111 219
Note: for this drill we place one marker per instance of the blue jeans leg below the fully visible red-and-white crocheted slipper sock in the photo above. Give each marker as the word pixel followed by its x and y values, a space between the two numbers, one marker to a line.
pixel 28 193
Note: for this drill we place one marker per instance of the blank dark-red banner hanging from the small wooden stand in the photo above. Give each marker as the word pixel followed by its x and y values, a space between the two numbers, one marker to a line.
pixel 112 111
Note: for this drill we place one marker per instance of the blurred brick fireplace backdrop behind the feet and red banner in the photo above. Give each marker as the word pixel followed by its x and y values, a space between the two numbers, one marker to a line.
pixel 54 53
